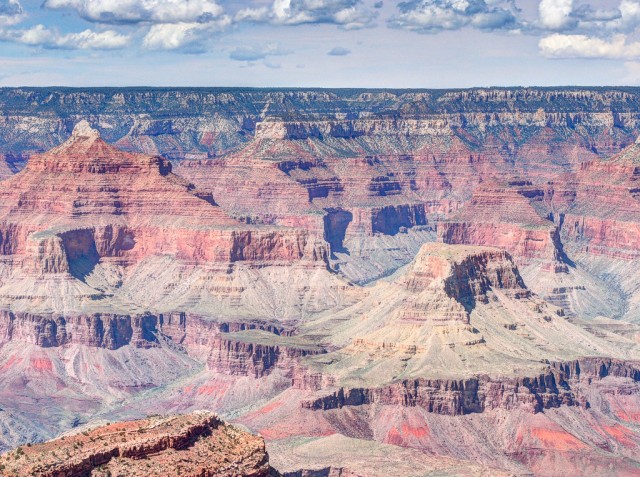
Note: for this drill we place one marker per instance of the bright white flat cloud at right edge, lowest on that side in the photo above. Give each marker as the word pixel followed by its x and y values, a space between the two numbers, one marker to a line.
pixel 583 46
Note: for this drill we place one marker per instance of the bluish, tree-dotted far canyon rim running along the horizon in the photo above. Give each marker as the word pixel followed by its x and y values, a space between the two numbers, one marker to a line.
pixel 199 123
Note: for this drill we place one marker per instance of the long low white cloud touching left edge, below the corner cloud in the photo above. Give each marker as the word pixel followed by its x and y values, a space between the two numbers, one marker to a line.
pixel 44 37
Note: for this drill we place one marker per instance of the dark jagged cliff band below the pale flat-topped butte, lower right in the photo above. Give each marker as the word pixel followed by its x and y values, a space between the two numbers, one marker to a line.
pixel 557 386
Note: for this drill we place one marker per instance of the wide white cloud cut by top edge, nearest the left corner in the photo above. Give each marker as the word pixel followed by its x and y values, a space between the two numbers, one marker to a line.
pixel 135 11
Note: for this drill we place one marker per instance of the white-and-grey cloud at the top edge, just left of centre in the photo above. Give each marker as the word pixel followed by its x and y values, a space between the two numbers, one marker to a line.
pixel 349 14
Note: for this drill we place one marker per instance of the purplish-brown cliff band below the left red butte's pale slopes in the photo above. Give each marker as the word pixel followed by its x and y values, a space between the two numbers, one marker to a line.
pixel 237 349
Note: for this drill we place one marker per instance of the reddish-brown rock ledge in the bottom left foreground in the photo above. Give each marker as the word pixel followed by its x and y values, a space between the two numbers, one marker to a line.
pixel 197 444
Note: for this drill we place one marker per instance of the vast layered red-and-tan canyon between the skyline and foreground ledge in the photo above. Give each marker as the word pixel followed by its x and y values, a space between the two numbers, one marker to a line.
pixel 436 281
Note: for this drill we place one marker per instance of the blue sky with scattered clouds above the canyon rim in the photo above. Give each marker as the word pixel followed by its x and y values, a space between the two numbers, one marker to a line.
pixel 319 43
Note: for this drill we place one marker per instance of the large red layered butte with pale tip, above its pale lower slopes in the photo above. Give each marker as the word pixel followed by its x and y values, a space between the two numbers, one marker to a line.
pixel 87 201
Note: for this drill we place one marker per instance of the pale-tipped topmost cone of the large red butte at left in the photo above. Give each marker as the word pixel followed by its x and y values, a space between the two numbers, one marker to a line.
pixel 86 152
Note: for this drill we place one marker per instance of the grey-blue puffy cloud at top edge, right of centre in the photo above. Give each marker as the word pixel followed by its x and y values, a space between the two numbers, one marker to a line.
pixel 431 16
